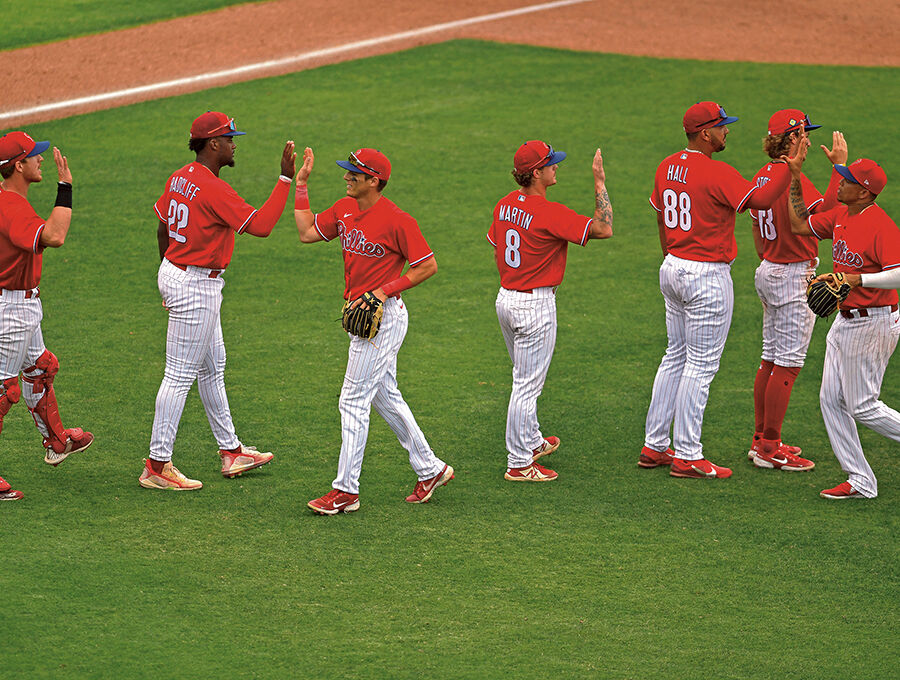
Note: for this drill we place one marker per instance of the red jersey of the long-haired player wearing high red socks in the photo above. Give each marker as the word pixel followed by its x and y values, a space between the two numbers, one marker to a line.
pixel 780 244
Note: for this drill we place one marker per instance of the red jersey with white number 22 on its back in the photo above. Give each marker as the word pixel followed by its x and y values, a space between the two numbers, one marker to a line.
pixel 202 212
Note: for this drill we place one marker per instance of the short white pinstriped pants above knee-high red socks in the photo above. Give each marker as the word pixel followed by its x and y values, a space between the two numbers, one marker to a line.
pixel 787 319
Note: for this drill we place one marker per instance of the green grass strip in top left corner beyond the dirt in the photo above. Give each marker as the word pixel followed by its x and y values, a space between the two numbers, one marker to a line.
pixel 41 21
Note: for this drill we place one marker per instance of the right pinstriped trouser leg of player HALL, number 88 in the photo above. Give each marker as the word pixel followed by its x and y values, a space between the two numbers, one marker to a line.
pixel 710 303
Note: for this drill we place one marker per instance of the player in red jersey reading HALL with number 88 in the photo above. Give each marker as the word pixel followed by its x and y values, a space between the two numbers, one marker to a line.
pixel 696 199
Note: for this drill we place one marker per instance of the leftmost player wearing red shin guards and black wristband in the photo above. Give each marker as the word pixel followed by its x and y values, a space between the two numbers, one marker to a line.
pixel 23 237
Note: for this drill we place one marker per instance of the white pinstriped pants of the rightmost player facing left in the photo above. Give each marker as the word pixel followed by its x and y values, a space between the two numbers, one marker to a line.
pixel 857 352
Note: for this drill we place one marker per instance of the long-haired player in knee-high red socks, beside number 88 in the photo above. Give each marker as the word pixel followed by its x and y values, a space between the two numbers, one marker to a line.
pixel 788 262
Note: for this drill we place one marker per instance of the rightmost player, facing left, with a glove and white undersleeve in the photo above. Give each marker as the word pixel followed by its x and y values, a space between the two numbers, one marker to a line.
pixel 866 248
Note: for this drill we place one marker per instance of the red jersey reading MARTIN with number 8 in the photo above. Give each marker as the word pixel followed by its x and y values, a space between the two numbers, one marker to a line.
pixel 531 237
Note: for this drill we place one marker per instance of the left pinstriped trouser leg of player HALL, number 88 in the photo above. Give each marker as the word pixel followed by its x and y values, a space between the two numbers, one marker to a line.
pixel 668 376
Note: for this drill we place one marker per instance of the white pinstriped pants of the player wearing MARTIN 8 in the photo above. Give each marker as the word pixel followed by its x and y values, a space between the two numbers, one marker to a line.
pixel 528 323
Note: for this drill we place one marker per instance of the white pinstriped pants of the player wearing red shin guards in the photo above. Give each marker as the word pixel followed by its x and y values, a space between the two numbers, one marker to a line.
pixel 21 343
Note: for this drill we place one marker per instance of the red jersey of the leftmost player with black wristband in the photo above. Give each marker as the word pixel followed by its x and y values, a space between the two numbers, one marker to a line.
pixel 20 243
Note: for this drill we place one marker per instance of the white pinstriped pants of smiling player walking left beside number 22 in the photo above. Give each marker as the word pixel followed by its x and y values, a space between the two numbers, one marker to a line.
pixel 371 380
